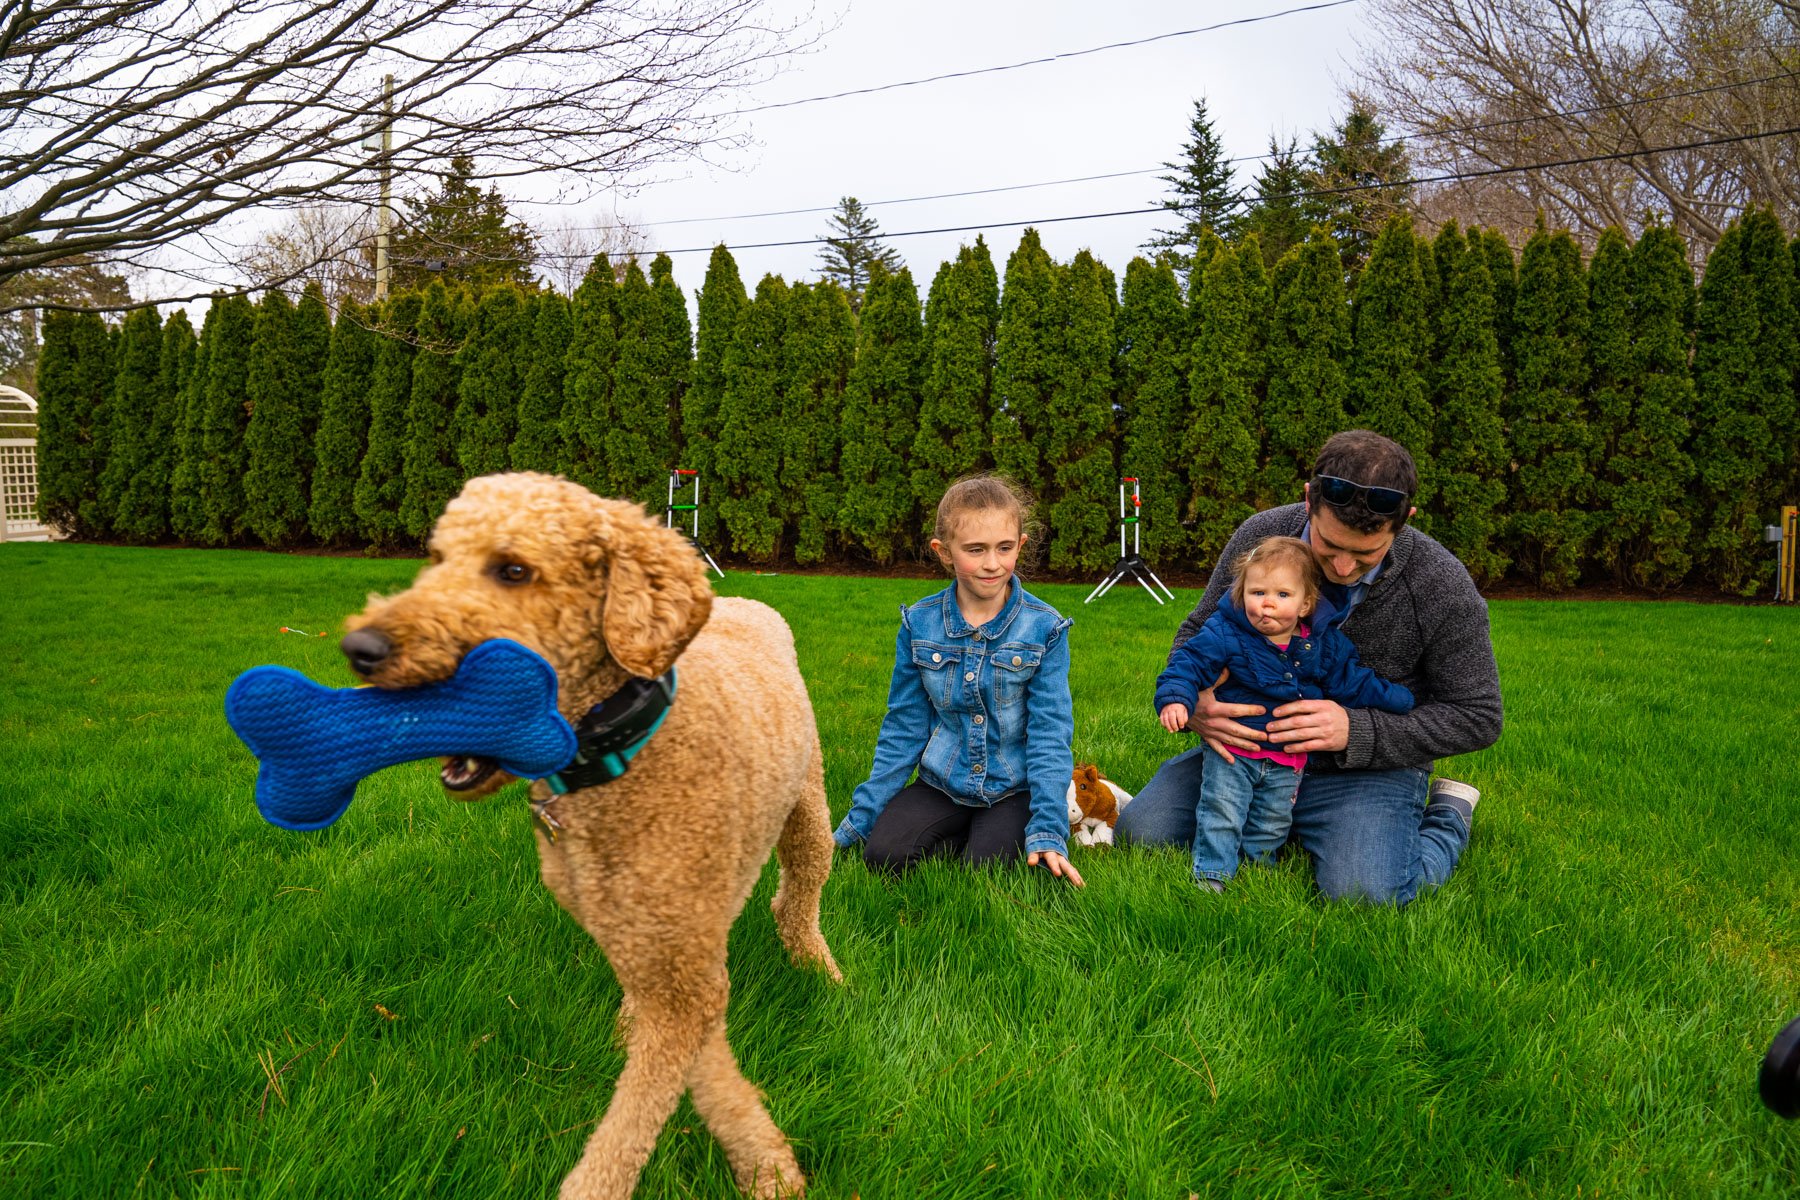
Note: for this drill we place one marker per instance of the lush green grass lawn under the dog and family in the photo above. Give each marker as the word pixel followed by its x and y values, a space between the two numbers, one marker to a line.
pixel 1579 1012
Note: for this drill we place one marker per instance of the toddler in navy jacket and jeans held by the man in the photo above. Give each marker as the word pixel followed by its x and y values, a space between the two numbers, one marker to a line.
pixel 1279 641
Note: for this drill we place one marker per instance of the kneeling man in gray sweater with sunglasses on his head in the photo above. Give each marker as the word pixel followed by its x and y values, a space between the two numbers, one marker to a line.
pixel 1367 812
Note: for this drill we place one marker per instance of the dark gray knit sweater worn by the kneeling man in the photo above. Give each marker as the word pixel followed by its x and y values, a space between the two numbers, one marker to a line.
pixel 1421 625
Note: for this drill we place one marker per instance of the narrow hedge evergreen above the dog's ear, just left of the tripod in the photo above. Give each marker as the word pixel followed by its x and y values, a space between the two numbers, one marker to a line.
pixel 640 442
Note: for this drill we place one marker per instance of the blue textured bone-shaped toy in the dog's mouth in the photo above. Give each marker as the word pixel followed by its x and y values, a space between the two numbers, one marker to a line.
pixel 318 742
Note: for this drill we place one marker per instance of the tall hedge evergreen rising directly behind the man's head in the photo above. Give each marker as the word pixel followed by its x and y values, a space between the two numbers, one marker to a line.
pixel 1390 352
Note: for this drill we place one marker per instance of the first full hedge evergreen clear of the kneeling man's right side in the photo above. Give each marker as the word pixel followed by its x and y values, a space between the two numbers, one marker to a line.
pixel 1547 418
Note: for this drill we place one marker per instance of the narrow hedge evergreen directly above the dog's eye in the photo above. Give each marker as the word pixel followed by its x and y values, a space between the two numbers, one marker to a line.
pixel 487 409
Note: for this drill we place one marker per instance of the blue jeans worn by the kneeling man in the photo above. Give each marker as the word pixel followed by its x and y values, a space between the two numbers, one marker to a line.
pixel 1369 832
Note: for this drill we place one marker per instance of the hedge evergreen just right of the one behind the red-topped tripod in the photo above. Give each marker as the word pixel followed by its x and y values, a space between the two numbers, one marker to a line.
pixel 1227 386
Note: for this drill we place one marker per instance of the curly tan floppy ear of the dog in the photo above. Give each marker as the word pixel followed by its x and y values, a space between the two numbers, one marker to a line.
pixel 658 595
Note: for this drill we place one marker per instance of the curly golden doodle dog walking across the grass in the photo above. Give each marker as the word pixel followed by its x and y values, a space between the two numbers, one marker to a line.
pixel 607 595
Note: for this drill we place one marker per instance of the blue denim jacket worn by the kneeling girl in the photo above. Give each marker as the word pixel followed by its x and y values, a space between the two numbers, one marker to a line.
pixel 980 712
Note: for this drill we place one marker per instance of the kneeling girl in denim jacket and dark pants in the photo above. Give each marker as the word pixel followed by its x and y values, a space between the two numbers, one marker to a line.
pixel 978 706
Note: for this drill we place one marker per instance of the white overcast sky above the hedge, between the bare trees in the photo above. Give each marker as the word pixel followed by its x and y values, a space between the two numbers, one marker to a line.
pixel 1101 114
